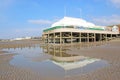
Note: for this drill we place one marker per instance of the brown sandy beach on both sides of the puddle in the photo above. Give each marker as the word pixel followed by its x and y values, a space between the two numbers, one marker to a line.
pixel 109 52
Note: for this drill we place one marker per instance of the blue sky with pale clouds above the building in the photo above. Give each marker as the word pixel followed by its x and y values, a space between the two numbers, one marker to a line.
pixel 21 18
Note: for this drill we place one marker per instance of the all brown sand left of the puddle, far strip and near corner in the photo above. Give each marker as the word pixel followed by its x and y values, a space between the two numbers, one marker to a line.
pixel 10 72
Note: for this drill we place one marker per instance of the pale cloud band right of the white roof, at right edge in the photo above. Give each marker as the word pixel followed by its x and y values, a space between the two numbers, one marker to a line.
pixel 106 20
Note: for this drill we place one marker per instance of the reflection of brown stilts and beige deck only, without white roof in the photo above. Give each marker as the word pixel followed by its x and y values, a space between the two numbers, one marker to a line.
pixel 59 54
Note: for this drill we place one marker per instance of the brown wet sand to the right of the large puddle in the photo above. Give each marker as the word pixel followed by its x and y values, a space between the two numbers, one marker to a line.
pixel 109 52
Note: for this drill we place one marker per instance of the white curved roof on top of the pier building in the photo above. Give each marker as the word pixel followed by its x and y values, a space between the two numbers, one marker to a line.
pixel 69 21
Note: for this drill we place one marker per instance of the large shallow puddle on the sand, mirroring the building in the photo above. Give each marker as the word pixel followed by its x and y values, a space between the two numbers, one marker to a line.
pixel 53 62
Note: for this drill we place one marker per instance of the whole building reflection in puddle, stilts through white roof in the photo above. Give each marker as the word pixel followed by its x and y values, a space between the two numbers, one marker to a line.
pixel 67 61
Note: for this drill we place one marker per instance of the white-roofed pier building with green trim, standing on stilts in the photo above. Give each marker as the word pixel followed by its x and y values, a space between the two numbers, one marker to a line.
pixel 71 30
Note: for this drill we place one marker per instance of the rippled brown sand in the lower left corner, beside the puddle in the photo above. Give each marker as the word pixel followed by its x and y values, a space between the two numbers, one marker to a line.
pixel 9 72
